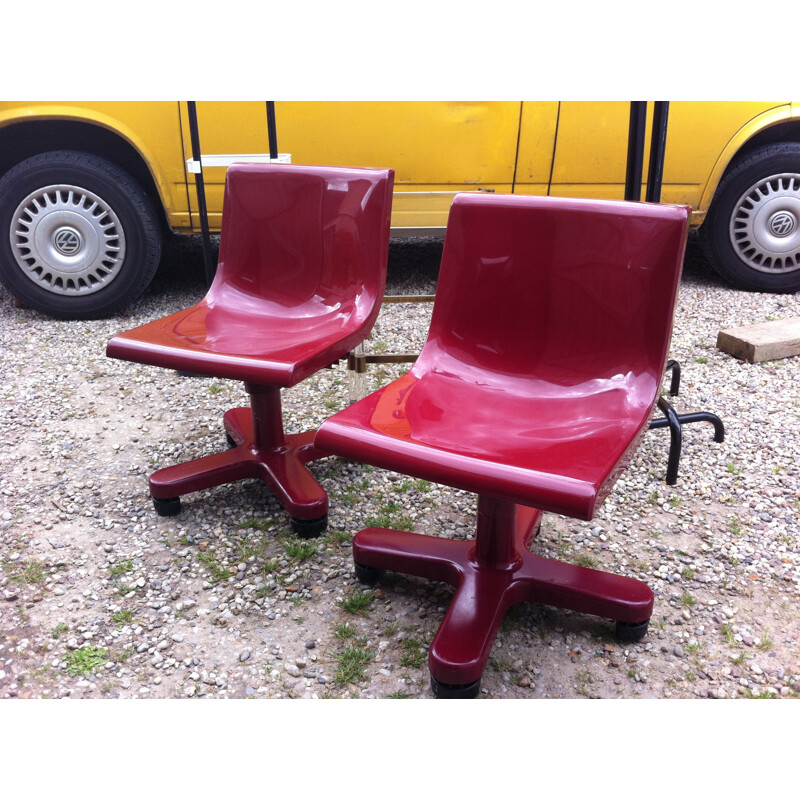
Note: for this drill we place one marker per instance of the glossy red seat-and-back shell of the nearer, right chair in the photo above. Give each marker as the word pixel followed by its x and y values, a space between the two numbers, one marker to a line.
pixel 545 353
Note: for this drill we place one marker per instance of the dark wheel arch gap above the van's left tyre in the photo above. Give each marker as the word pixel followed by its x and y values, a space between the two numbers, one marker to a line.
pixel 22 139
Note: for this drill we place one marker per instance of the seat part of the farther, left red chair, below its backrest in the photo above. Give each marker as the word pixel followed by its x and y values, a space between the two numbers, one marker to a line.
pixel 224 342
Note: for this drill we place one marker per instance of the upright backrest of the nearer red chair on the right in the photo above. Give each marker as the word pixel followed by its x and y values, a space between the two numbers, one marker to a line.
pixel 556 289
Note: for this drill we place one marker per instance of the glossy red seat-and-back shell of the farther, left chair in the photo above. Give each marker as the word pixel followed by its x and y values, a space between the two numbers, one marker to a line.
pixel 301 276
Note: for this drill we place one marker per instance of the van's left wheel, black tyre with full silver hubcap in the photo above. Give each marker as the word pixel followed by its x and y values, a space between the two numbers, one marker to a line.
pixel 78 236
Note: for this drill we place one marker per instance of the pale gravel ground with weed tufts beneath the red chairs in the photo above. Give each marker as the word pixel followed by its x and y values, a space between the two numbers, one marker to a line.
pixel 100 597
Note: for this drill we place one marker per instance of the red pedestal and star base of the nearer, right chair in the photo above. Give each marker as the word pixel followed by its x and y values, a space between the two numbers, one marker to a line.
pixel 491 573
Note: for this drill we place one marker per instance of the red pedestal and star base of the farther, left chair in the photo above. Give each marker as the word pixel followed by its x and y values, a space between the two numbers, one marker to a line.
pixel 262 450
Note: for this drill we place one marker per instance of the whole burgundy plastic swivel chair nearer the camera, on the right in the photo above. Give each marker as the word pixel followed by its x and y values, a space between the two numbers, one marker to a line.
pixel 542 366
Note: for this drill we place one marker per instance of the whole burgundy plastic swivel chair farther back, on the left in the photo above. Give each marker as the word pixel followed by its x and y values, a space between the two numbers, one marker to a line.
pixel 301 276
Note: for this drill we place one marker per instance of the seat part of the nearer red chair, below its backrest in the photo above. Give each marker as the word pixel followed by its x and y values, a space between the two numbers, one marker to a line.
pixel 553 447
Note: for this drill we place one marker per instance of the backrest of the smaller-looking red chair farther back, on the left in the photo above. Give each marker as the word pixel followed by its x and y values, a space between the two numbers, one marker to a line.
pixel 304 241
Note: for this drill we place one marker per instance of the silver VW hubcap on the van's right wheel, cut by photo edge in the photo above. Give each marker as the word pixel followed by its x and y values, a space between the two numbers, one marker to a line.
pixel 765 229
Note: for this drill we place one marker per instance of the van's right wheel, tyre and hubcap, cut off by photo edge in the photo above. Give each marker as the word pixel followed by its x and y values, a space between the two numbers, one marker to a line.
pixel 752 232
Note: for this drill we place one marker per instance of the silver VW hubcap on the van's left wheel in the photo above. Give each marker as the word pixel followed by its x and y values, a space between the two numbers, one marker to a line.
pixel 67 240
